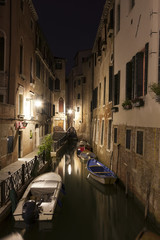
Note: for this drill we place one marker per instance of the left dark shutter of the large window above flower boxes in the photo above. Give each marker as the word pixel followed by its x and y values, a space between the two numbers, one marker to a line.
pixel 129 80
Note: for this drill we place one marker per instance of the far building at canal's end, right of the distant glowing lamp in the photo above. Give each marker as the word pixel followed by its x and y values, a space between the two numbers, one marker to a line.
pixel 80 84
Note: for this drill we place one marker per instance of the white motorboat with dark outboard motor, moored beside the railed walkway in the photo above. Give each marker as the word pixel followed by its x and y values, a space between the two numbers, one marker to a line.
pixel 40 199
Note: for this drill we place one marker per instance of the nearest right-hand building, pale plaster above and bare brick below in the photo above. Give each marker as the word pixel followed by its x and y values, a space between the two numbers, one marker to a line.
pixel 136 128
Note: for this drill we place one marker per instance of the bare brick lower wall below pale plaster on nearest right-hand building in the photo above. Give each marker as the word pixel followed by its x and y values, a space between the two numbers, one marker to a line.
pixel 140 172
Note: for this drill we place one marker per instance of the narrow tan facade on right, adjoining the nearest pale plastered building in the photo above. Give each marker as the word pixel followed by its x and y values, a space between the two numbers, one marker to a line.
pixel 102 87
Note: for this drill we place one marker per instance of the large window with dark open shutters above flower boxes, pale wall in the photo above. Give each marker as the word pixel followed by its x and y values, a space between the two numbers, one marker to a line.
pixel 137 74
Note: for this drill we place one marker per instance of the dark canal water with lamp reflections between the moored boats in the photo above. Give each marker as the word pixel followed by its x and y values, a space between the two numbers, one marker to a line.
pixel 88 210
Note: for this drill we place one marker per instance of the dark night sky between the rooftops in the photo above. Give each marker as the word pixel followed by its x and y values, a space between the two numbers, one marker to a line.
pixel 69 25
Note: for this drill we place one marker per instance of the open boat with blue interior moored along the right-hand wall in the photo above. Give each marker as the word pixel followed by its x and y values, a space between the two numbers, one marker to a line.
pixel 100 172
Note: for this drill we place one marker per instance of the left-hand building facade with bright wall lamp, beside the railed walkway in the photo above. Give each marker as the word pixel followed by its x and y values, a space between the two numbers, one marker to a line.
pixel 27 81
